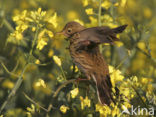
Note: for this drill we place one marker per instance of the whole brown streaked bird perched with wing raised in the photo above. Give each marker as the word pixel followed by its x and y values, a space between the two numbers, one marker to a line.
pixel 85 53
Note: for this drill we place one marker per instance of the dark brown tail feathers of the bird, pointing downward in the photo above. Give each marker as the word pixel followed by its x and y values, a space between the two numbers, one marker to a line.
pixel 104 91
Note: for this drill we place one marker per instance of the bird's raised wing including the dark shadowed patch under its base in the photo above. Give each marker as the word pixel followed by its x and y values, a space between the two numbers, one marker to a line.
pixel 92 37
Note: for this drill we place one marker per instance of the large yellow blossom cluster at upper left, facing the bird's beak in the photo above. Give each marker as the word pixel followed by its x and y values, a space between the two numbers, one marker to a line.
pixel 36 21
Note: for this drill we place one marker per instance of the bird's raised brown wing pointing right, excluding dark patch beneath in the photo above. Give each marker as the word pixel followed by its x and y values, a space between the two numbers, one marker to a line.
pixel 101 34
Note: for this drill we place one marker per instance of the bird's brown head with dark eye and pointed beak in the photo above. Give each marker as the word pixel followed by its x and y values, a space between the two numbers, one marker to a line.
pixel 71 28
